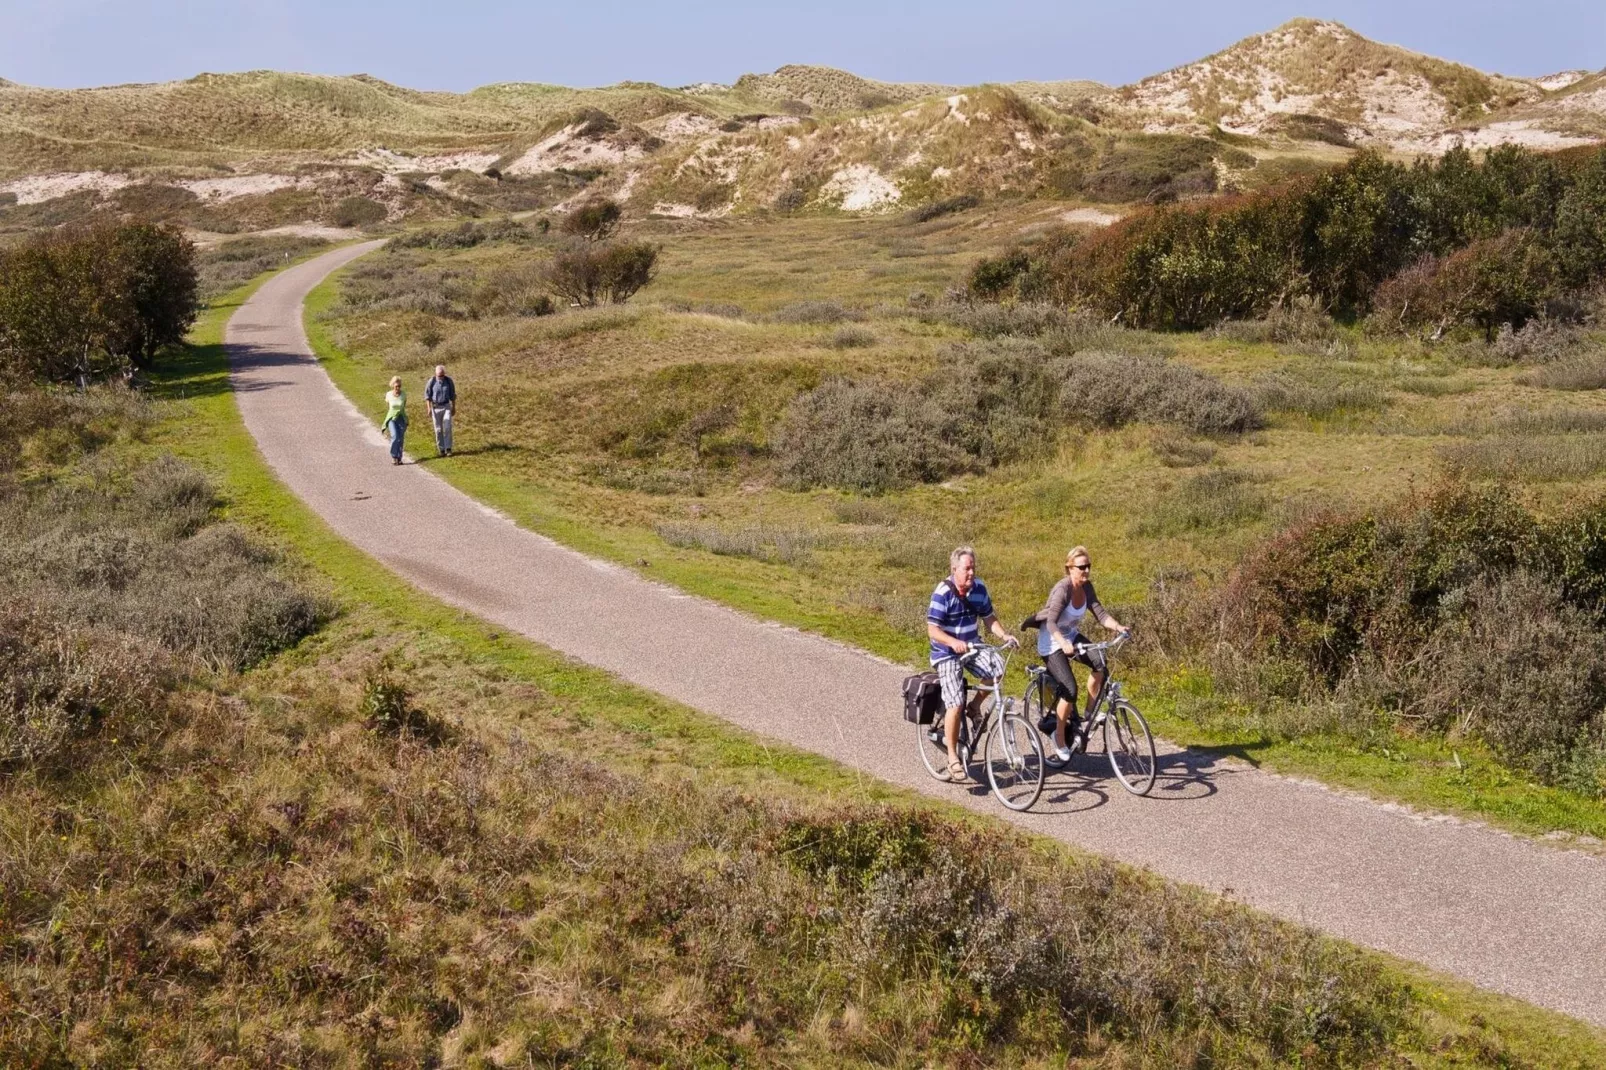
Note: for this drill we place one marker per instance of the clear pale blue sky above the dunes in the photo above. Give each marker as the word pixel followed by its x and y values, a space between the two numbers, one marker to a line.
pixel 462 44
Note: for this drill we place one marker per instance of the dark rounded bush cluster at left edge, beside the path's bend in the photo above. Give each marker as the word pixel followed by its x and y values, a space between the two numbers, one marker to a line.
pixel 96 303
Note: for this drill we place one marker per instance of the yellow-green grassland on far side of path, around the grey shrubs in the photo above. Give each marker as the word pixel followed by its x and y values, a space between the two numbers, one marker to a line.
pixel 577 425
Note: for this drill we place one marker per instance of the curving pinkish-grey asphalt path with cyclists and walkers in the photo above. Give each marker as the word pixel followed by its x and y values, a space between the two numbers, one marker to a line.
pixel 1498 910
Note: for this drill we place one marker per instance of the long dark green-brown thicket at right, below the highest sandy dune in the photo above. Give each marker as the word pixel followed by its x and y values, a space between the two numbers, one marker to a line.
pixel 1483 243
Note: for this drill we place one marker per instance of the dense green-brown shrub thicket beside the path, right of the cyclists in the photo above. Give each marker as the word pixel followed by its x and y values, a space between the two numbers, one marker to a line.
pixel 1456 613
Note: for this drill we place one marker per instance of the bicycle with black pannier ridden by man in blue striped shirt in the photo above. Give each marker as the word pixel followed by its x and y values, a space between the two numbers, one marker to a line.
pixel 1013 749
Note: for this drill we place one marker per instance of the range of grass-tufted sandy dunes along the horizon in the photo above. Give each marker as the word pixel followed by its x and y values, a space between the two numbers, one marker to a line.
pixel 267 149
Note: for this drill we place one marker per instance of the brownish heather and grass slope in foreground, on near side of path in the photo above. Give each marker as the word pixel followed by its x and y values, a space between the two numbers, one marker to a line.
pixel 359 854
